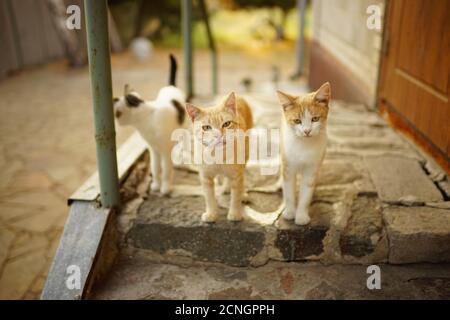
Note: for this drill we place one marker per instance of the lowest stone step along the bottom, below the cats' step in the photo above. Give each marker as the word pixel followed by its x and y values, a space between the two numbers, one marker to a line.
pixel 140 278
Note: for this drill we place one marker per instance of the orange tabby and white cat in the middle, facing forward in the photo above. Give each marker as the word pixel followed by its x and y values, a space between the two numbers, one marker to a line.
pixel 211 128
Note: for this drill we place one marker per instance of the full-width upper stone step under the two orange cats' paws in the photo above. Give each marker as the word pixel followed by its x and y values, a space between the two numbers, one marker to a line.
pixel 348 226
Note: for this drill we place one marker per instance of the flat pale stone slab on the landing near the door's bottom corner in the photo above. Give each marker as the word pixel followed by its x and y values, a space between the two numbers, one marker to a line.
pixel 397 178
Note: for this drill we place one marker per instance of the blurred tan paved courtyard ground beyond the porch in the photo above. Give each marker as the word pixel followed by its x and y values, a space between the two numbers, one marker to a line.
pixel 47 148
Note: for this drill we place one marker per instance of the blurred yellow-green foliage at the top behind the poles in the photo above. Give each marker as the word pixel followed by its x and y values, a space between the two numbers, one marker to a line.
pixel 235 23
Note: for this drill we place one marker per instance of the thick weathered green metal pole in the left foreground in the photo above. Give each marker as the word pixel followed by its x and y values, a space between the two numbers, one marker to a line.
pixel 96 12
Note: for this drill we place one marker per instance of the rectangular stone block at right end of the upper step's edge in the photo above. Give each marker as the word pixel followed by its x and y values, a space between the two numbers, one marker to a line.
pixel 418 234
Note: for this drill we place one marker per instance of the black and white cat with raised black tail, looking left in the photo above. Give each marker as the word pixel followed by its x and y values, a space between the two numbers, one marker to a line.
pixel 155 120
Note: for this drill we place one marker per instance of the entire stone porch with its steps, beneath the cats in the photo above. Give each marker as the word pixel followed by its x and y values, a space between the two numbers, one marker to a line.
pixel 378 201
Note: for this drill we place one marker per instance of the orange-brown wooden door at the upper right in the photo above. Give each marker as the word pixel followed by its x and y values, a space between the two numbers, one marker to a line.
pixel 415 69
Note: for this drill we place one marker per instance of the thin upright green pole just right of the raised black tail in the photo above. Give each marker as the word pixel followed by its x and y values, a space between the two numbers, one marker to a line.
pixel 187 45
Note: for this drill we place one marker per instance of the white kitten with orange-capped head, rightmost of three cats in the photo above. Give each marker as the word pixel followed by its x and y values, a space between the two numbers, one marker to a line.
pixel 303 144
